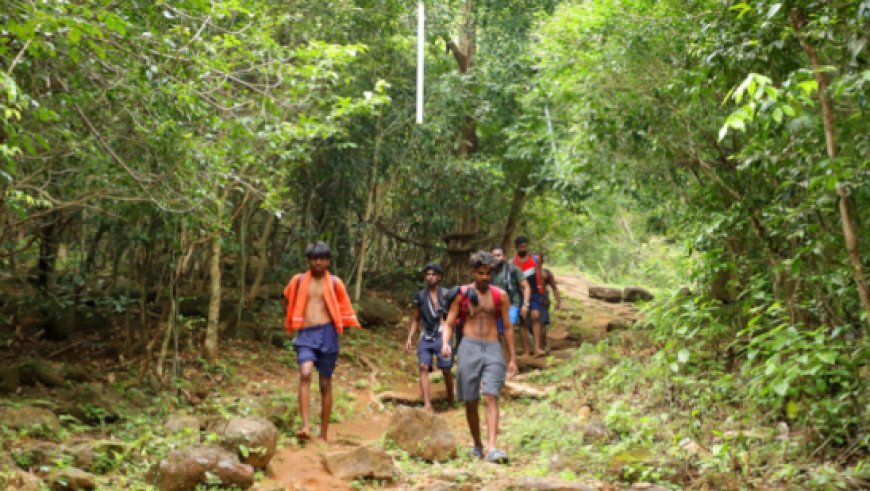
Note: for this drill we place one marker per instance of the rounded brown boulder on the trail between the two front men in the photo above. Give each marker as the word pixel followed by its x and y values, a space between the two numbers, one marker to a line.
pixel 423 435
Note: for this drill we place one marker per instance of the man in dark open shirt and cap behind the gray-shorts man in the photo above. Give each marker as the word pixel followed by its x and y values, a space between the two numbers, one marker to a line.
pixel 430 307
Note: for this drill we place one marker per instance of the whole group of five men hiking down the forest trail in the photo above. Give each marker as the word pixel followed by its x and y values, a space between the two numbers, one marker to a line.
pixel 469 325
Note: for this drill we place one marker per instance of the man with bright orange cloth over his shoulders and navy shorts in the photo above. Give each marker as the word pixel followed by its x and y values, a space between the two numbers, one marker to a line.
pixel 318 310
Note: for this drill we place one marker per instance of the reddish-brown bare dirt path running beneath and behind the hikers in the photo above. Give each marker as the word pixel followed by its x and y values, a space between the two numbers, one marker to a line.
pixel 300 467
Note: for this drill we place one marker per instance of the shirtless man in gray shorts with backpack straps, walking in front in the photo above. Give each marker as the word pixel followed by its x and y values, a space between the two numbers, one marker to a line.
pixel 480 364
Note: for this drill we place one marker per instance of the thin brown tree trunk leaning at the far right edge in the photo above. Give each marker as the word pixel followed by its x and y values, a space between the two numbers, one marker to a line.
pixel 847 215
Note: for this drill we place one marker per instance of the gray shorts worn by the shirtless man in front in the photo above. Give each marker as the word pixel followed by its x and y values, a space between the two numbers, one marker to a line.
pixel 479 364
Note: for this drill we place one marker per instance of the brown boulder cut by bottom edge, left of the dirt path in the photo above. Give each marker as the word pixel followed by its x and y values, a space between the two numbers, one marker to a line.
pixel 183 469
